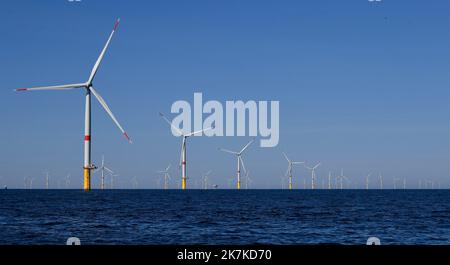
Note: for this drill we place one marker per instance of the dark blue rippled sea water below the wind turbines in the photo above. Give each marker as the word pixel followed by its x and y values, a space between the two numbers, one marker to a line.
pixel 225 216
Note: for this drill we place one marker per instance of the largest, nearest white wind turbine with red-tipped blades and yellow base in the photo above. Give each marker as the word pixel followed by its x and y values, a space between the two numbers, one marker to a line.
pixel 87 86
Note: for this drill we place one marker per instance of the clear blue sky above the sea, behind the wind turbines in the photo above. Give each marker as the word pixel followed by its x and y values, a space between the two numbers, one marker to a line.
pixel 362 86
